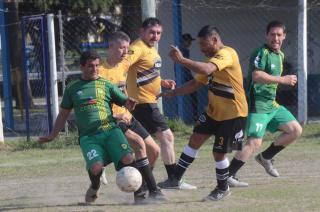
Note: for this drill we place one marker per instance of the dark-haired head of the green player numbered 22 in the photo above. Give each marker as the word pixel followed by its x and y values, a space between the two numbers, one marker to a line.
pixel 89 64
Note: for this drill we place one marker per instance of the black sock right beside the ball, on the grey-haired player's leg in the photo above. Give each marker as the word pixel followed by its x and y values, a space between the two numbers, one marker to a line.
pixel 144 168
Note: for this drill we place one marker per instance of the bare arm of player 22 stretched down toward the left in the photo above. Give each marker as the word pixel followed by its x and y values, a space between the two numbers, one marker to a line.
pixel 59 124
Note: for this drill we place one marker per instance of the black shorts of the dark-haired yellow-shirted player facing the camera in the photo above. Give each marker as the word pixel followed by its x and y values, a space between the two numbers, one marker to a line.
pixel 150 117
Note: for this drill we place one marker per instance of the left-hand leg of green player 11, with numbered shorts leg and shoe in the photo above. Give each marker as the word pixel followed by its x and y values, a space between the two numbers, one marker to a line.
pixel 255 129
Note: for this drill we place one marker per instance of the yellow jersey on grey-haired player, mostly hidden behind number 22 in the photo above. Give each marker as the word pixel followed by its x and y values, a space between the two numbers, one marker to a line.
pixel 116 75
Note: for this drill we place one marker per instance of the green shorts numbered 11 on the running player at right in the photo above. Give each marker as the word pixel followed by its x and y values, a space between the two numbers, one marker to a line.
pixel 258 123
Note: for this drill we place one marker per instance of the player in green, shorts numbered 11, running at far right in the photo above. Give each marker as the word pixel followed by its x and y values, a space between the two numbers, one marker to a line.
pixel 264 75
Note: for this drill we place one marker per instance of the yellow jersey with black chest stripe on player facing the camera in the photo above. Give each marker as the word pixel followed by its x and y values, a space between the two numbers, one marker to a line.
pixel 144 81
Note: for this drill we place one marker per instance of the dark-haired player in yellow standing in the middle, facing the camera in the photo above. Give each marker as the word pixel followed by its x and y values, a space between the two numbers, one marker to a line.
pixel 144 84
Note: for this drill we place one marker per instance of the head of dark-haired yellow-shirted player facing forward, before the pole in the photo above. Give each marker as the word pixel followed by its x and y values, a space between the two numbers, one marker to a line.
pixel 151 31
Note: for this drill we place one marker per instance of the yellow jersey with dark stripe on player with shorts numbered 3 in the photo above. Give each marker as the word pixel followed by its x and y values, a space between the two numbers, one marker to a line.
pixel 226 96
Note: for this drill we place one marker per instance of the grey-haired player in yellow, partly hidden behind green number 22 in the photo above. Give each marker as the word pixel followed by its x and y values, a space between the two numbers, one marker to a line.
pixel 115 70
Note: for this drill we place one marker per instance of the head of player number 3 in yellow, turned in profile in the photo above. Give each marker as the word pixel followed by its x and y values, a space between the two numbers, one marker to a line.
pixel 209 40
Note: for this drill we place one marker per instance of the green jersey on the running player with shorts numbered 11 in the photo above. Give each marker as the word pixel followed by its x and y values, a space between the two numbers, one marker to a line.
pixel 262 97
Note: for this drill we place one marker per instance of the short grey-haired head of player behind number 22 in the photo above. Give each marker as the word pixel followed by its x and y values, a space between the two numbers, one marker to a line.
pixel 118 45
